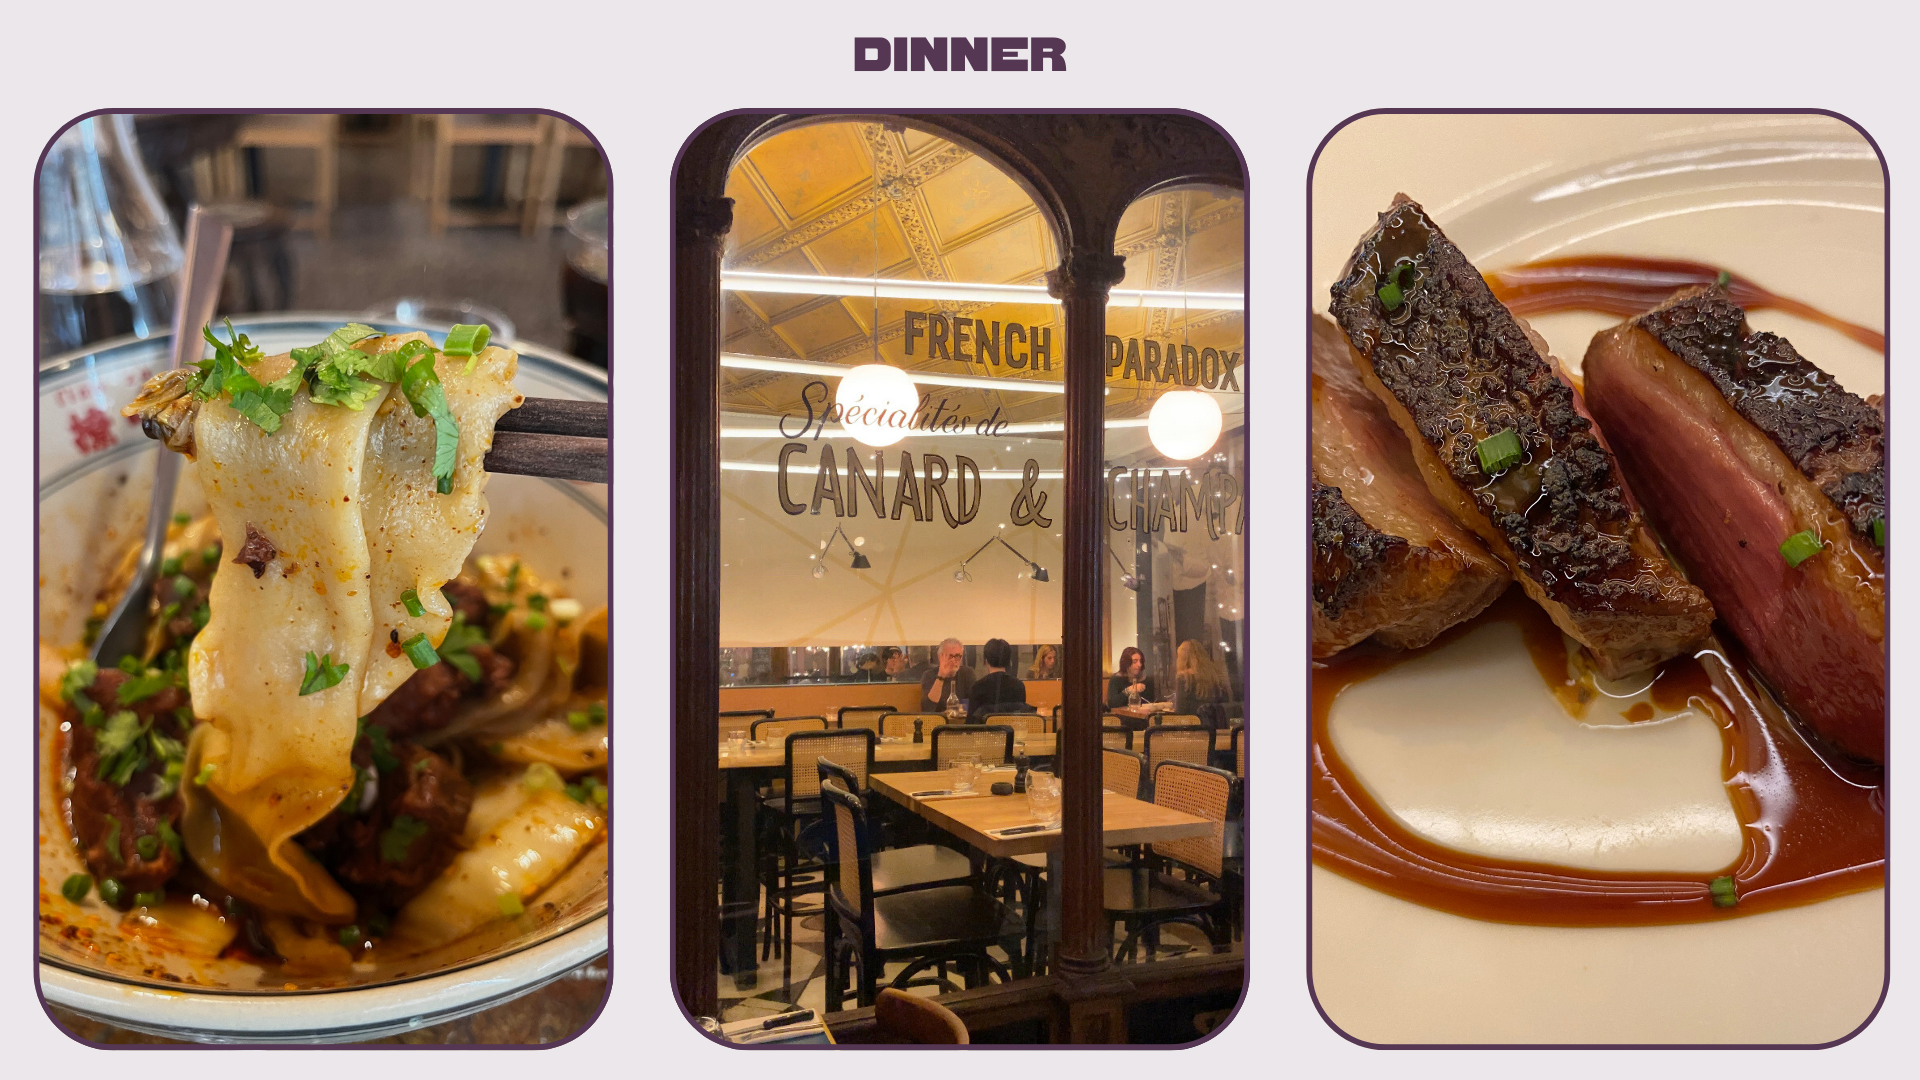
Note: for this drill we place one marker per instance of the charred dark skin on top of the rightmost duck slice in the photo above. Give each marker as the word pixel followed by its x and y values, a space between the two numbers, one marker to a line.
pixel 1836 439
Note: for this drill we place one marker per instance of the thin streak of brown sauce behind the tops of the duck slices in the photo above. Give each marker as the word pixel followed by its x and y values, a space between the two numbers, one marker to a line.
pixel 1631 285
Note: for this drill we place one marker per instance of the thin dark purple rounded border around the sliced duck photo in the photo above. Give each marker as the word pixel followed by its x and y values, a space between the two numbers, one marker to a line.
pixel 1307 408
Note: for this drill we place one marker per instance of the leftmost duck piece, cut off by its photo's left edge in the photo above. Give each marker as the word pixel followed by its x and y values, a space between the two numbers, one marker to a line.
pixel 1389 564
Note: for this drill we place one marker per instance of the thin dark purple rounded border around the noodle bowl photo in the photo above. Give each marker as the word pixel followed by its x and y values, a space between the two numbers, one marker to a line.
pixel 34 685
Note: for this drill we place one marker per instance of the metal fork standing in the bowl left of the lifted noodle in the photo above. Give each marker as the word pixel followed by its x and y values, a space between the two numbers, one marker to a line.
pixel 208 241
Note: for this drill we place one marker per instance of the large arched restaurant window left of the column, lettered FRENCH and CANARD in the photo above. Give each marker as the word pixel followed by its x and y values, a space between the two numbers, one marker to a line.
pixel 892 439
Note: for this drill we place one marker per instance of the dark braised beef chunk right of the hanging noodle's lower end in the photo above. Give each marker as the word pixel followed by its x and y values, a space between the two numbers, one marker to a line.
pixel 406 839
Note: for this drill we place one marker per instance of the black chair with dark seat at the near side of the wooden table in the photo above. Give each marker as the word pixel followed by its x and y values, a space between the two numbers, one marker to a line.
pixel 926 929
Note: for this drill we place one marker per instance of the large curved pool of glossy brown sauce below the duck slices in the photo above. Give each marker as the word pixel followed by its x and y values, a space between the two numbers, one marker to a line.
pixel 1810 831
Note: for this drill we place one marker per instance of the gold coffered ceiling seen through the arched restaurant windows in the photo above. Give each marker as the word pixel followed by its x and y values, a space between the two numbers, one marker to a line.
pixel 861 201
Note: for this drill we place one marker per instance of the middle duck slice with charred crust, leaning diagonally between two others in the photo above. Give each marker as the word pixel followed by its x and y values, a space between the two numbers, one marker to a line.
pixel 1454 368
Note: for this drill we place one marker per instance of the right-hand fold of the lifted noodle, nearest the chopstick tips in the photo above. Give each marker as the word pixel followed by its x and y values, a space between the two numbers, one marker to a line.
pixel 420 539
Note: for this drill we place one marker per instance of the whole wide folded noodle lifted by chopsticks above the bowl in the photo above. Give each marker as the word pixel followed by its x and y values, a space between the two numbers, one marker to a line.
pixel 347 499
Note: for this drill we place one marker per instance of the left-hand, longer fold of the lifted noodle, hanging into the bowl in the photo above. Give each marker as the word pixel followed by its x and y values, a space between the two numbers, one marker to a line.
pixel 287 758
